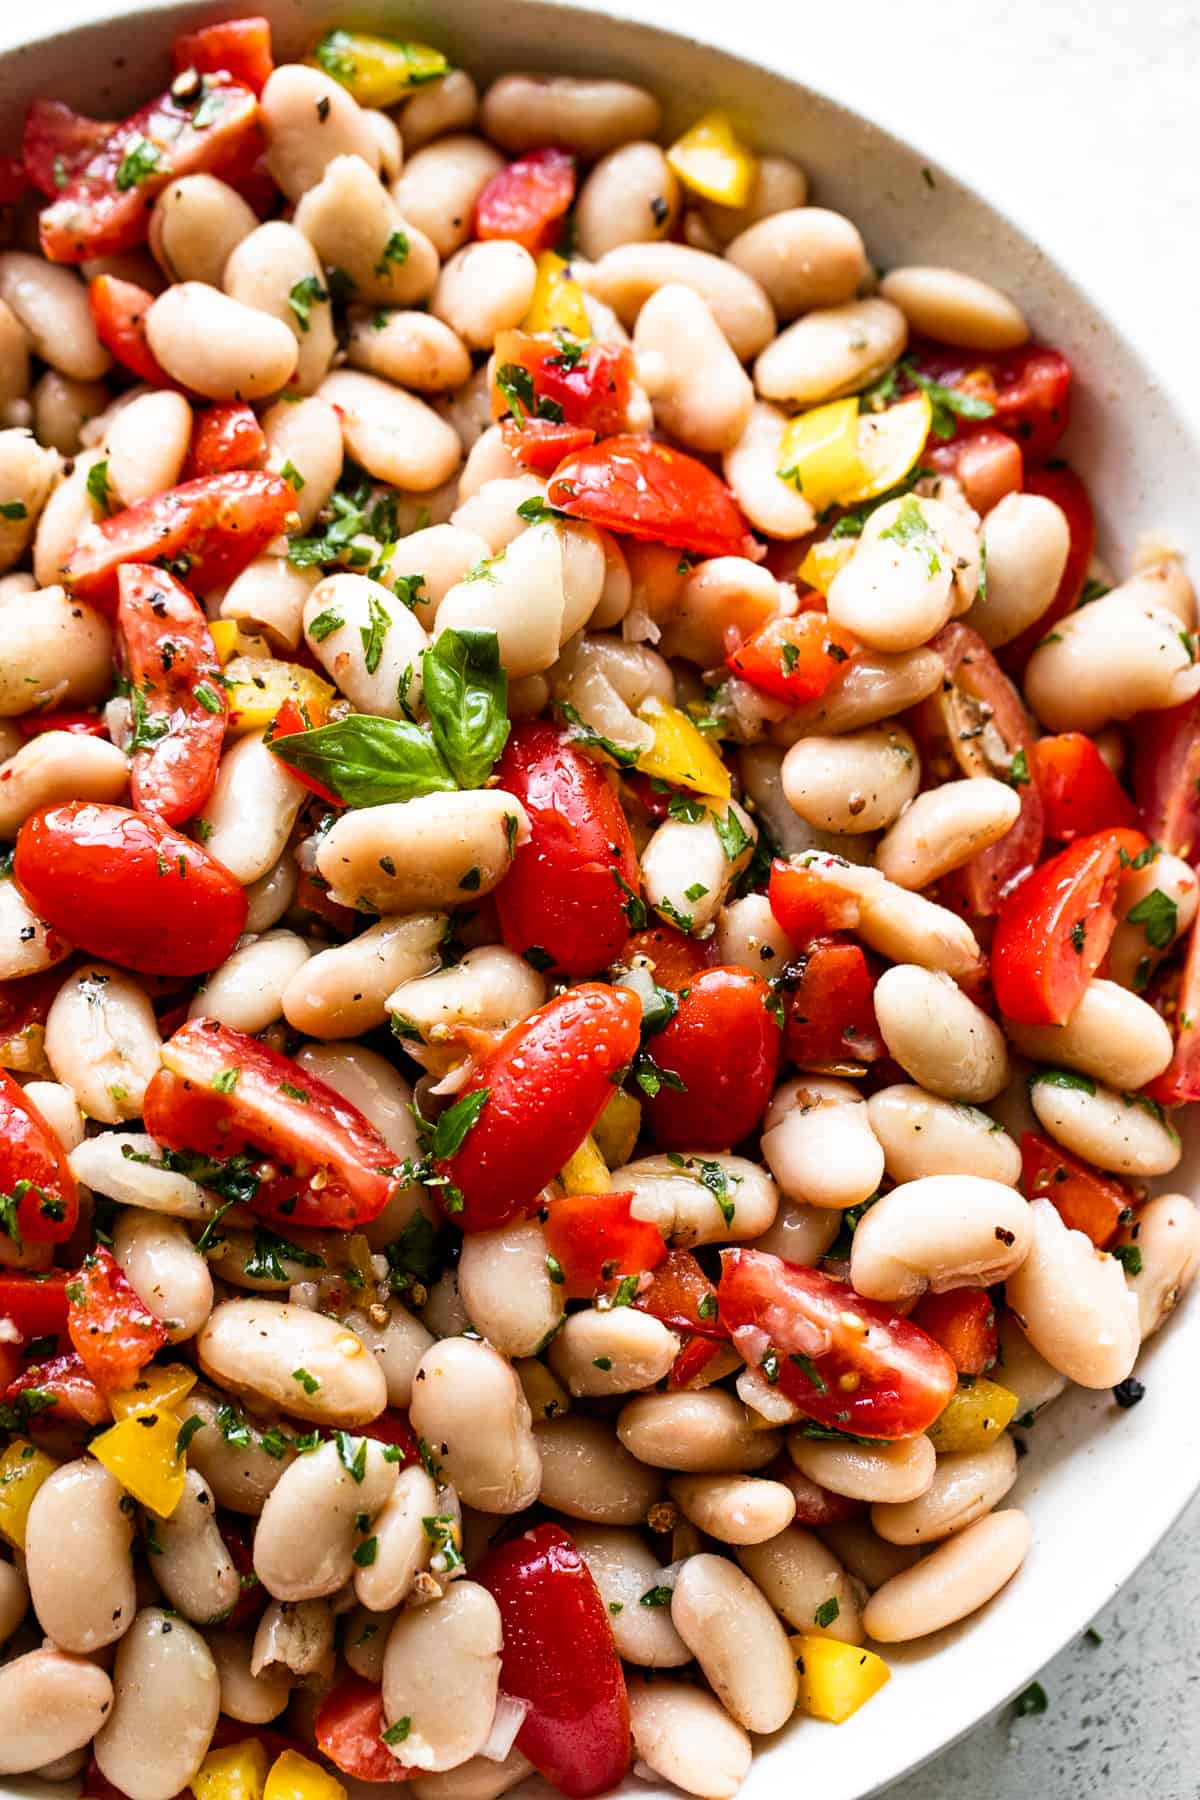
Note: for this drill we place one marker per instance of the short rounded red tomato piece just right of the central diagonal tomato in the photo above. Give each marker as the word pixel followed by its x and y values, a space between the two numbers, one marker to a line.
pixel 724 1043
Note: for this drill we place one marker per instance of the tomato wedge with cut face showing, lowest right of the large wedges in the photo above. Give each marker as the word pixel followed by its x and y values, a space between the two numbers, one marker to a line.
pixel 904 1378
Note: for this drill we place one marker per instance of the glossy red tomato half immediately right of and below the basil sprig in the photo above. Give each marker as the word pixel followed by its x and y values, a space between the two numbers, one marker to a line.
pixel 564 890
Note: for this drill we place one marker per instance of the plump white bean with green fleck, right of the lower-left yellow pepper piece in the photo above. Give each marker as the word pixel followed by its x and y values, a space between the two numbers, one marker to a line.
pixel 255 1347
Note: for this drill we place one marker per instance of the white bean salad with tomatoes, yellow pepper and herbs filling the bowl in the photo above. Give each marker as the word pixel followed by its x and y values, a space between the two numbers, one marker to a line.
pixel 596 939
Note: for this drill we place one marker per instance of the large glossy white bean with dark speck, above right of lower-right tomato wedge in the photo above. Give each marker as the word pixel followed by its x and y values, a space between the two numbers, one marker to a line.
pixel 940 1232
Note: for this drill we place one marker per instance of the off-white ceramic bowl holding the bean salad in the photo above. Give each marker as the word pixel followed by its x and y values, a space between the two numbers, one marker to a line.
pixel 1102 1486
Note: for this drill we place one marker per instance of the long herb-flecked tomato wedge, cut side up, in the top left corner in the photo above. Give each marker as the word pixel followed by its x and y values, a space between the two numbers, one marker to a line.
pixel 105 204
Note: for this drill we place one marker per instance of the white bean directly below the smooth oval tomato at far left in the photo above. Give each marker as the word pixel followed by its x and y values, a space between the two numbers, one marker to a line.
pixel 102 1039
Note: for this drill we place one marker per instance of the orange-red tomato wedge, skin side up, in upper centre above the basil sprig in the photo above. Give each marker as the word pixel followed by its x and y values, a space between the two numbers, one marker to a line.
pixel 649 490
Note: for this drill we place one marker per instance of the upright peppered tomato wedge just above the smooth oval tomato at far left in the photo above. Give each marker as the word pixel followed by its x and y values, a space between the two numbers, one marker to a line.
pixel 179 694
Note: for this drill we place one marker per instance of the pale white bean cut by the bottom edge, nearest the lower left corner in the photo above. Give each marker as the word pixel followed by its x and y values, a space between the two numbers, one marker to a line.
pixel 166 1698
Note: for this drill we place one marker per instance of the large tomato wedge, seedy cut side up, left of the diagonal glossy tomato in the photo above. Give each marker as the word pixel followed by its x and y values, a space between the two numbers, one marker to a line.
pixel 269 1102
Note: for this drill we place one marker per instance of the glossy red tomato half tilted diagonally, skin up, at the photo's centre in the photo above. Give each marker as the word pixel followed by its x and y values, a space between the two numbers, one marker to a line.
pixel 548 1083
